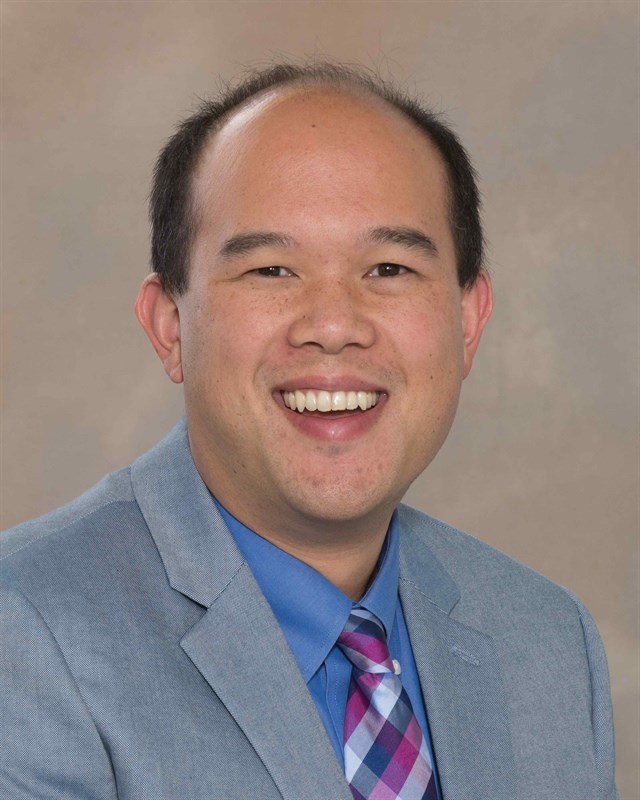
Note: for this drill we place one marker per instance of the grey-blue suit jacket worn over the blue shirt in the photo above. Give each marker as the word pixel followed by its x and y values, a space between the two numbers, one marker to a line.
pixel 140 660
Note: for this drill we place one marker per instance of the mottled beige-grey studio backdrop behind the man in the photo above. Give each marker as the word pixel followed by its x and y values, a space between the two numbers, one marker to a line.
pixel 542 461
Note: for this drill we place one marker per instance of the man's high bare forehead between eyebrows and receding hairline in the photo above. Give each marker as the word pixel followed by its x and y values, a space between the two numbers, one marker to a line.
pixel 320 148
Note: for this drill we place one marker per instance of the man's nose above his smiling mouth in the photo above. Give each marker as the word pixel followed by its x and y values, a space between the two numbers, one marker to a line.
pixel 332 315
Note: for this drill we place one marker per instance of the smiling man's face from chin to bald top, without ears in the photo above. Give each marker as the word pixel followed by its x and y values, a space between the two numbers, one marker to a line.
pixel 323 271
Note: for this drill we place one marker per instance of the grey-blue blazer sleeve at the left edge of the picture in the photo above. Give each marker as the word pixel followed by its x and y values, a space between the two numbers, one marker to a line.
pixel 51 748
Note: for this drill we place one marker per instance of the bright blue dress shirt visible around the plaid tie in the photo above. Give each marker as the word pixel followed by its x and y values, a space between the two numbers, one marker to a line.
pixel 312 612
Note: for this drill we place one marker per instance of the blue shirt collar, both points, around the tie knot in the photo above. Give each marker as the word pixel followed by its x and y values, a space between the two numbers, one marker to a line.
pixel 310 610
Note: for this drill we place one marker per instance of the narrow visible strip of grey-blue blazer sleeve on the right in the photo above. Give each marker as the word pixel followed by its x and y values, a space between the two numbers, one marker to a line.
pixel 601 708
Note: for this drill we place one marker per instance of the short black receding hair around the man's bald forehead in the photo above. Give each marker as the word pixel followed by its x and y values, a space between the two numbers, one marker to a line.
pixel 171 205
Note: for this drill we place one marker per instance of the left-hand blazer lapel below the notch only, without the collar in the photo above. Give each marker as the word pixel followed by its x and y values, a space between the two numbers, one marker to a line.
pixel 241 651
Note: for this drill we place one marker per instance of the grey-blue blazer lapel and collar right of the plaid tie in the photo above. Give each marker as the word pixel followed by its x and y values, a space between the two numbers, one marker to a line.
pixel 461 681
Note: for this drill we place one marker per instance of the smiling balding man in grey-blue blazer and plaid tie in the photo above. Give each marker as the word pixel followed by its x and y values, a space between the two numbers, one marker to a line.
pixel 246 611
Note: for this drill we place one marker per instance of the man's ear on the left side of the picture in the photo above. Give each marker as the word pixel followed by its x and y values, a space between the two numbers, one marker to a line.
pixel 157 312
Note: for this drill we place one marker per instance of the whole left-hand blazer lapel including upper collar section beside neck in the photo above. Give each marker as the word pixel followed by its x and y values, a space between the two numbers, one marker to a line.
pixel 237 645
